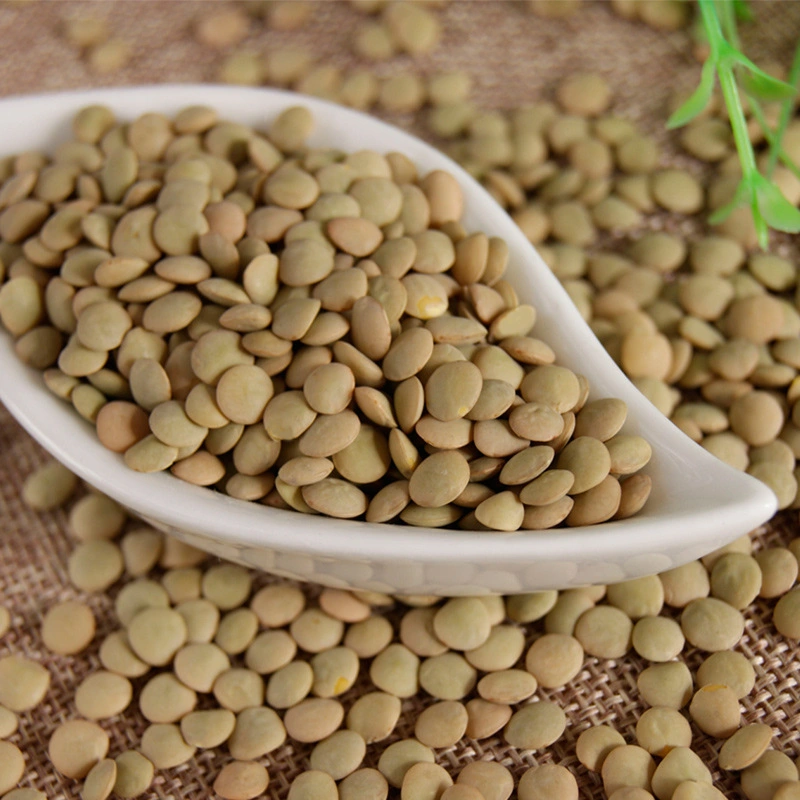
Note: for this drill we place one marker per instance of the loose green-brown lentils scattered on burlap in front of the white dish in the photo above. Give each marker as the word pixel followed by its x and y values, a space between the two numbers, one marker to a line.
pixel 209 656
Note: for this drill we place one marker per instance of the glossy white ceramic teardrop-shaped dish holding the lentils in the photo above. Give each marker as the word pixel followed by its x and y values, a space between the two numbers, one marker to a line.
pixel 697 504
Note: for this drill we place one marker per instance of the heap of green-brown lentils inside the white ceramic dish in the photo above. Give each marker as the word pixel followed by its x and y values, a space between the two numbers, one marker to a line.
pixel 306 328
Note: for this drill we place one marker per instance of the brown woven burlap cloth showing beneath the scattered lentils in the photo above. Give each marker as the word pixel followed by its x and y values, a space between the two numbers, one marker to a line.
pixel 515 57
